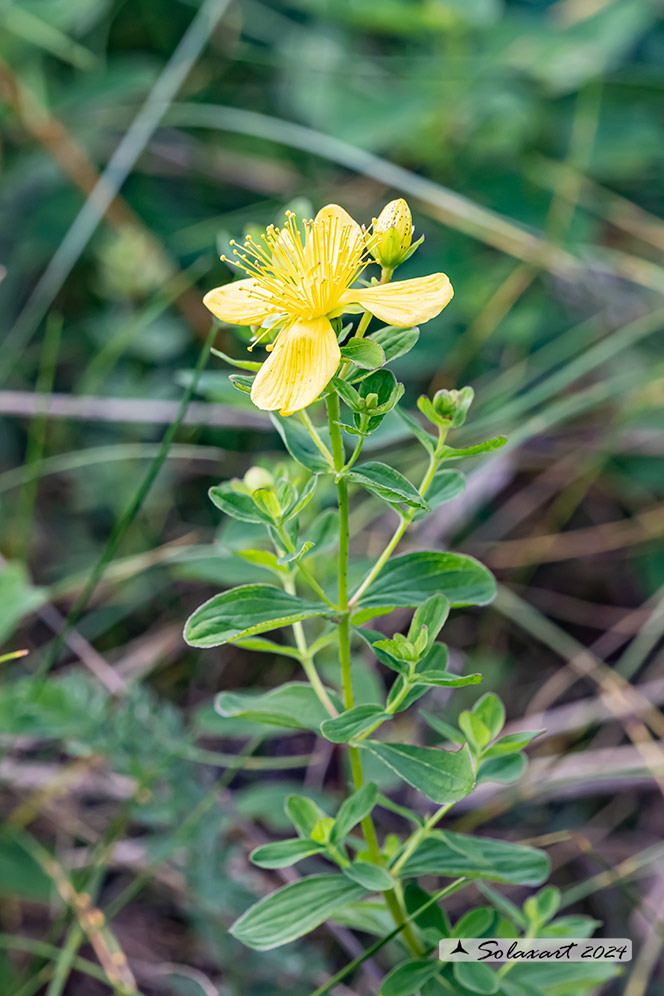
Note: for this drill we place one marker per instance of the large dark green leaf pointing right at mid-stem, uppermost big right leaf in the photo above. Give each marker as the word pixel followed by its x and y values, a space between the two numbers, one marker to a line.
pixel 411 579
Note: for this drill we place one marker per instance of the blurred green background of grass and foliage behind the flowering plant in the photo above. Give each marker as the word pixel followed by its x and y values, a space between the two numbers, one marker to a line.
pixel 137 139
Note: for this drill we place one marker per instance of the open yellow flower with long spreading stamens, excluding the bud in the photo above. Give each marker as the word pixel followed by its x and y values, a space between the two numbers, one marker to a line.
pixel 302 283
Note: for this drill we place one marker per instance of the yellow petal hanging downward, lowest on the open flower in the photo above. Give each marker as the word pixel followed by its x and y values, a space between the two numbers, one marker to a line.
pixel 304 358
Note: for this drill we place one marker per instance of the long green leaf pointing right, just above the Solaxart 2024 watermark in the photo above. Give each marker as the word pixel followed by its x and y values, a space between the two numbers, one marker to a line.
pixel 454 854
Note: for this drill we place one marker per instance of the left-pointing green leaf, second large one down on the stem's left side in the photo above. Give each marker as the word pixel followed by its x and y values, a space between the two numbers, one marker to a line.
pixel 294 705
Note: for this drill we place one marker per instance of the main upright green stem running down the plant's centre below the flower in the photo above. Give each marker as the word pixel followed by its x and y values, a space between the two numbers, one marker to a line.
pixel 367 824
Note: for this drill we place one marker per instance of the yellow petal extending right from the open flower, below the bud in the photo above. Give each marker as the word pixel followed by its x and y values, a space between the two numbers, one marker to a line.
pixel 406 302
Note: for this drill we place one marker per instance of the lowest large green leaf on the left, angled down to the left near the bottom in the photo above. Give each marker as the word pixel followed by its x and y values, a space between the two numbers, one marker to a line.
pixel 294 910
